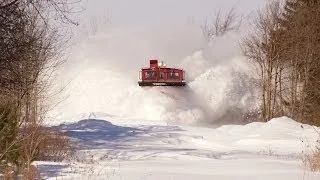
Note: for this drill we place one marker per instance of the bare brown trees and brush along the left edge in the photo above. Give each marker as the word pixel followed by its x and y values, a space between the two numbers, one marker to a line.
pixel 31 50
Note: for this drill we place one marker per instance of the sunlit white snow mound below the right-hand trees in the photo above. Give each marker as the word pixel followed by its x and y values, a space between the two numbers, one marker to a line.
pixel 279 136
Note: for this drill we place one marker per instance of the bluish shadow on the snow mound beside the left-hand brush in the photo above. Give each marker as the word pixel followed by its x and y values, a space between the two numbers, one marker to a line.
pixel 101 134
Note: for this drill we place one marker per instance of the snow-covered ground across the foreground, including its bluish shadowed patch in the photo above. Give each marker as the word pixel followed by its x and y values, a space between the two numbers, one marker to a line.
pixel 120 149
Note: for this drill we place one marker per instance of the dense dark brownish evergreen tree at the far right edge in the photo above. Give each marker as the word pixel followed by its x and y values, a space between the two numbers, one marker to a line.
pixel 300 27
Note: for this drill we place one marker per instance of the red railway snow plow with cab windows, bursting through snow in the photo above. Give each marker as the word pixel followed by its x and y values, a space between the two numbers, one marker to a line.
pixel 160 75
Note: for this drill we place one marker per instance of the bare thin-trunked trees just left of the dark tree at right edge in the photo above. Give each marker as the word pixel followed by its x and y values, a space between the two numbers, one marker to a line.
pixel 262 46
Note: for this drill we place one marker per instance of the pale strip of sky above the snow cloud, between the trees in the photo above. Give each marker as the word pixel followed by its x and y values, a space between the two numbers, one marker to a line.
pixel 160 11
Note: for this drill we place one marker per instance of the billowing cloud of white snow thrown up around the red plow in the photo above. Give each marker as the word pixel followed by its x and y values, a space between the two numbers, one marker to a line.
pixel 104 68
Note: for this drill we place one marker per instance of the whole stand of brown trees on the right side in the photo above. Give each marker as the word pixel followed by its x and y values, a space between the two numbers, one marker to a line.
pixel 285 44
